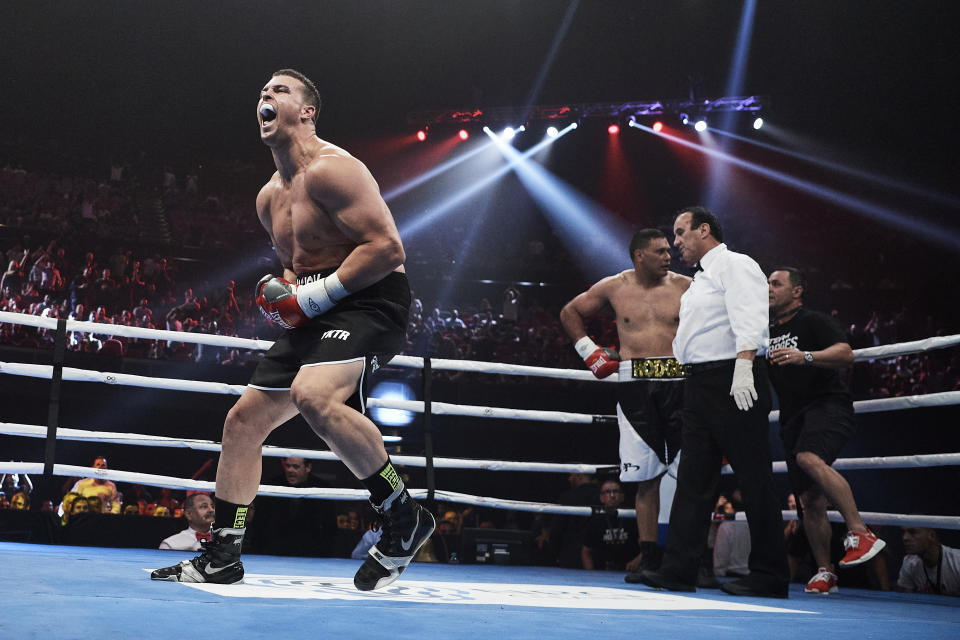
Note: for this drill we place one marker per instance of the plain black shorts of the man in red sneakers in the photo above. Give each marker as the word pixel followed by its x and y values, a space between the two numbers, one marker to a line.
pixel 823 428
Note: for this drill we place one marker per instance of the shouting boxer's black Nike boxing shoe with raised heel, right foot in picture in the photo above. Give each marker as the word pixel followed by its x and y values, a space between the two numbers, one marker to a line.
pixel 406 527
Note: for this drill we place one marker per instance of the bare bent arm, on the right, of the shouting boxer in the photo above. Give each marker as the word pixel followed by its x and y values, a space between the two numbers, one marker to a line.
pixel 349 194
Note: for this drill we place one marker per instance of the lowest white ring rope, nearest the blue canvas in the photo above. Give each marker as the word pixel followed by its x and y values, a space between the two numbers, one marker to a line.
pixel 870 517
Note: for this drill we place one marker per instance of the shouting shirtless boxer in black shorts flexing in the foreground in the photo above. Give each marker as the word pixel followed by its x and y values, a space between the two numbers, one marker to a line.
pixel 343 300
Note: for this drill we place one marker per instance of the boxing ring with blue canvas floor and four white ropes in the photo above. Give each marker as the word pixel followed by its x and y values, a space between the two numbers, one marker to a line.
pixel 455 600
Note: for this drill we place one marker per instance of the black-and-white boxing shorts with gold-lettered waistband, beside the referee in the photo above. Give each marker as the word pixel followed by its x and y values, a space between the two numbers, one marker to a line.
pixel 649 400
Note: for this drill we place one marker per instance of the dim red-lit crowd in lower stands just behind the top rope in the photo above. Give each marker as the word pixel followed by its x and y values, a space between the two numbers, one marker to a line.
pixel 143 290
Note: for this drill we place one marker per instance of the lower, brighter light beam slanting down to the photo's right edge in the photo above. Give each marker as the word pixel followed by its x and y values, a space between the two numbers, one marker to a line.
pixel 894 218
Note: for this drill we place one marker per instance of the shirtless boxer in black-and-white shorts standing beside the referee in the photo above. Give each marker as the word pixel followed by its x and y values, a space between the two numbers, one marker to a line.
pixel 646 302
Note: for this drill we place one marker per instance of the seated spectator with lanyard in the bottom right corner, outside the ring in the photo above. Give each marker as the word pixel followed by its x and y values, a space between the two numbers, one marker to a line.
pixel 928 567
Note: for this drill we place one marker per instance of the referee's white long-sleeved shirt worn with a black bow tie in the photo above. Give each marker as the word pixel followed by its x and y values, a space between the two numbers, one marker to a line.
pixel 726 309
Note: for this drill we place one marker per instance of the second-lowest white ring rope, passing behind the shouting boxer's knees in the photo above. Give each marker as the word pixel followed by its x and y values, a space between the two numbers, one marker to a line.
pixel 270 451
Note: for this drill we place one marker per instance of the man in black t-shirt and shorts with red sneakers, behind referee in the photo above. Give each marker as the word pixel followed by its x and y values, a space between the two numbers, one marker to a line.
pixel 807 349
